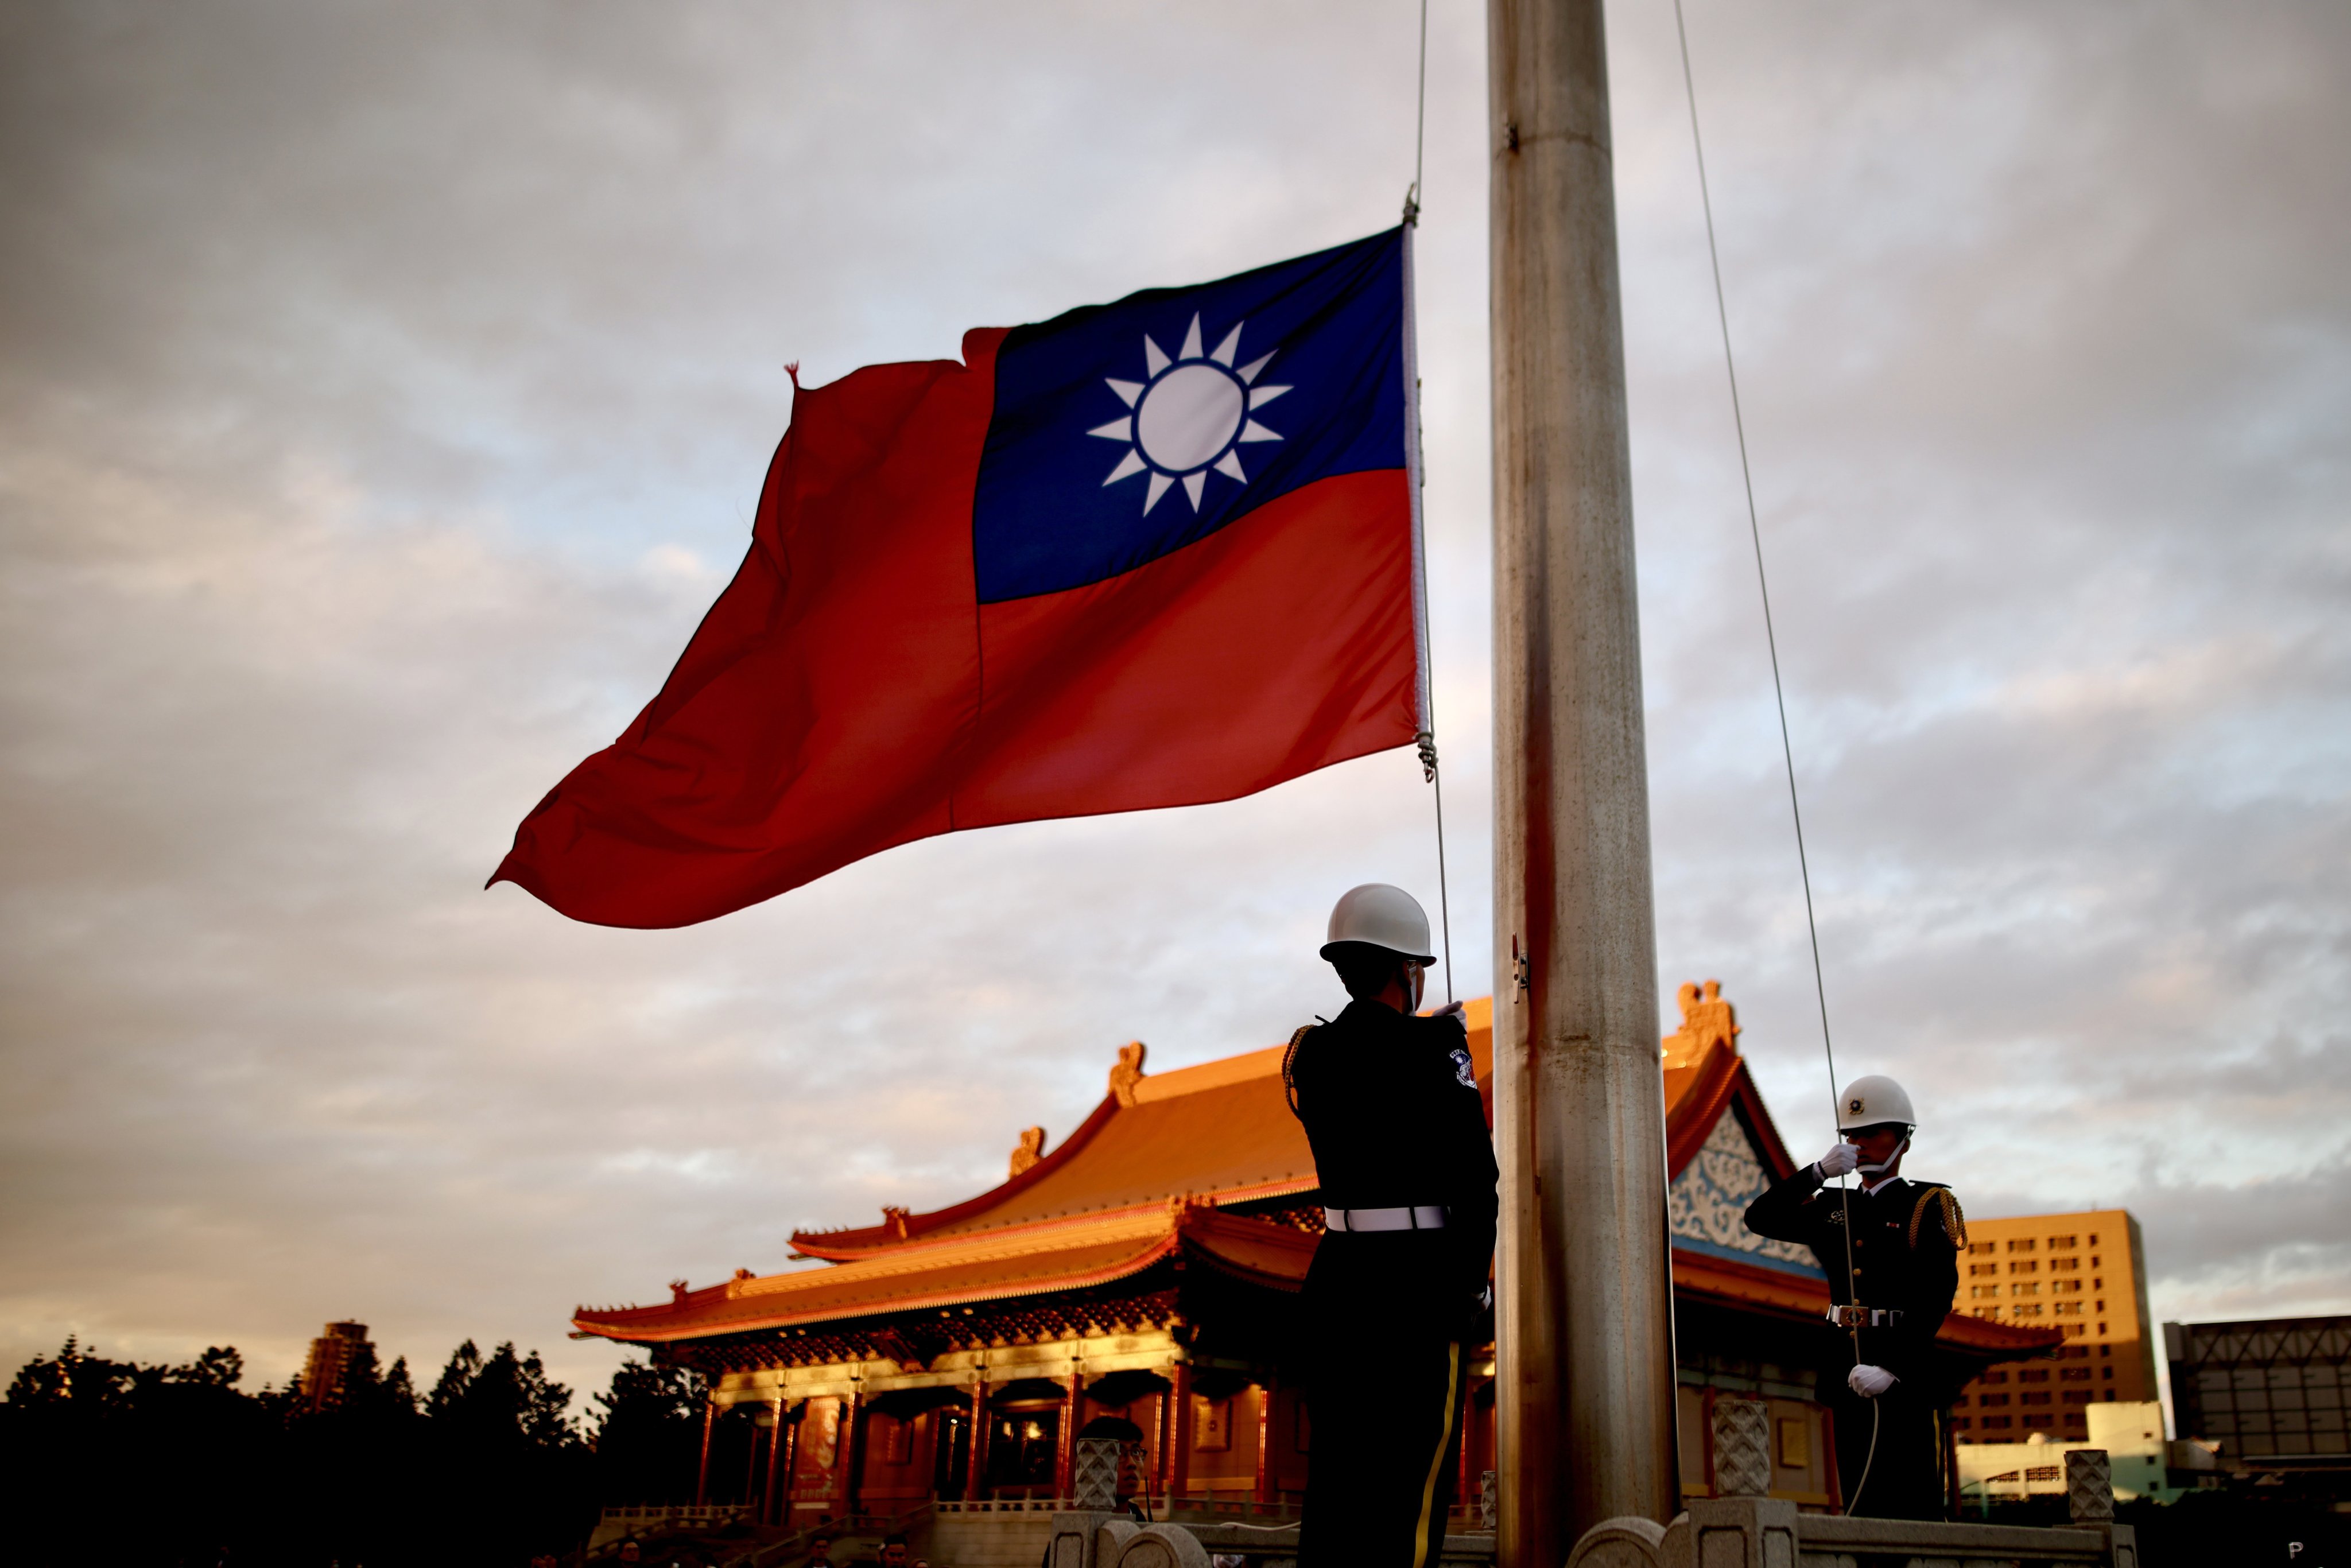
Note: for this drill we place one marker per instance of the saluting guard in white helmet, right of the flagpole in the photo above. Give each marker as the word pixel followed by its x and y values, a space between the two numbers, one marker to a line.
pixel 1891 1289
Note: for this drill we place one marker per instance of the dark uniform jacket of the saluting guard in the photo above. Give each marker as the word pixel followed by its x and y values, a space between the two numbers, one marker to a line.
pixel 1905 1259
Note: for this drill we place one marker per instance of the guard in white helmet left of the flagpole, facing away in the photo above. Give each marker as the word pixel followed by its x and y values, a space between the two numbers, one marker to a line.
pixel 1398 1287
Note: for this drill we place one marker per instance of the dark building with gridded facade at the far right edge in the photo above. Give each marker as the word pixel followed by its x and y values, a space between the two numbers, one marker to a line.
pixel 2268 1393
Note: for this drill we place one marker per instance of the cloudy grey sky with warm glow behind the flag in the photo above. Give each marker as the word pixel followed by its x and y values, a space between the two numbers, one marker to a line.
pixel 384 394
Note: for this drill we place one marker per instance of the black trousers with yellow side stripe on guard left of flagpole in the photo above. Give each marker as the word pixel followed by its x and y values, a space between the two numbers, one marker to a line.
pixel 1384 1442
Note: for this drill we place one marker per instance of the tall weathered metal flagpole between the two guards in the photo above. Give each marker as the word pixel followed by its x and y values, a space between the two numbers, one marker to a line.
pixel 1586 1322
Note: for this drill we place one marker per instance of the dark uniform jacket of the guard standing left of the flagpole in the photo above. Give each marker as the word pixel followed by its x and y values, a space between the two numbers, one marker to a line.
pixel 1395 1118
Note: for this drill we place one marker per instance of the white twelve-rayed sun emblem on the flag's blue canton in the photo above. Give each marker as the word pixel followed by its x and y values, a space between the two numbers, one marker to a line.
pixel 1191 417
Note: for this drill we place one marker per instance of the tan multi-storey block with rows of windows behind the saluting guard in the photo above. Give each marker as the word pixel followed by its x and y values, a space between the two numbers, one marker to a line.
pixel 2079 1273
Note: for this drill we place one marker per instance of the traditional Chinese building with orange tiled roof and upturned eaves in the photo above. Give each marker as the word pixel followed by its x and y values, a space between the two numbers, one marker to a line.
pixel 1148 1268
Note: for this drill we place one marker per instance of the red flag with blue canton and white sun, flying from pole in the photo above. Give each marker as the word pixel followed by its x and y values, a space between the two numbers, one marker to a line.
pixel 1141 556
